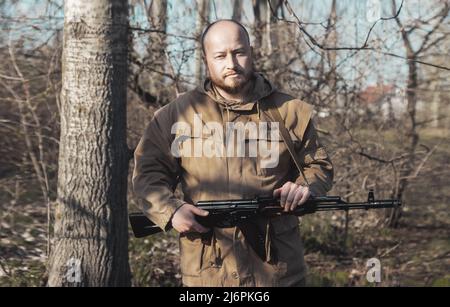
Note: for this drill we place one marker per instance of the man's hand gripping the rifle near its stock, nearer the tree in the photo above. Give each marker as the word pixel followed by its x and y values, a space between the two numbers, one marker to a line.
pixel 184 219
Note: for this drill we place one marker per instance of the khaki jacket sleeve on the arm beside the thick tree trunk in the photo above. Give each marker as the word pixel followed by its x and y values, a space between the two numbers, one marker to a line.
pixel 156 173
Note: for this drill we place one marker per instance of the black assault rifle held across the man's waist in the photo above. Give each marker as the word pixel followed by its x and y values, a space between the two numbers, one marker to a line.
pixel 229 213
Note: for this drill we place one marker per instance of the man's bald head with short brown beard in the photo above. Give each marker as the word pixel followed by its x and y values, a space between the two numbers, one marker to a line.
pixel 228 55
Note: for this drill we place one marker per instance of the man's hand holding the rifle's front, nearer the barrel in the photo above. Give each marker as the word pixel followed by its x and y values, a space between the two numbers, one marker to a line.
pixel 291 195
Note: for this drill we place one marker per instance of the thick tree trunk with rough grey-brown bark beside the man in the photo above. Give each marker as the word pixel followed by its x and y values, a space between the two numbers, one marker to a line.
pixel 90 245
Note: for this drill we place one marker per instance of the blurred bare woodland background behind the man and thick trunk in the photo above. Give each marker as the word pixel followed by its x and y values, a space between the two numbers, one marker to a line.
pixel 377 72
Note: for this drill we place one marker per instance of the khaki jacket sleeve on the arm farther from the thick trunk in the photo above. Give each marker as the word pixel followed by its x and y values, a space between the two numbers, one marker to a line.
pixel 317 166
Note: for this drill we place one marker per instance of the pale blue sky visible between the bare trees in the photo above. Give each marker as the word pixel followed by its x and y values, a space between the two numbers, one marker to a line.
pixel 355 19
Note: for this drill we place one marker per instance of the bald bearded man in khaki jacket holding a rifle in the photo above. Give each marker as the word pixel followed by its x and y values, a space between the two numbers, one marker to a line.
pixel 174 149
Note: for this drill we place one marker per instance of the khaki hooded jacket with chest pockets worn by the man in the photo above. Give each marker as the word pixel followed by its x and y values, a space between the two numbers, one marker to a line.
pixel 228 259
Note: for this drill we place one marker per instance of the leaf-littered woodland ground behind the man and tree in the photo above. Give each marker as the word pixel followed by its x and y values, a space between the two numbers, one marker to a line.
pixel 417 253
